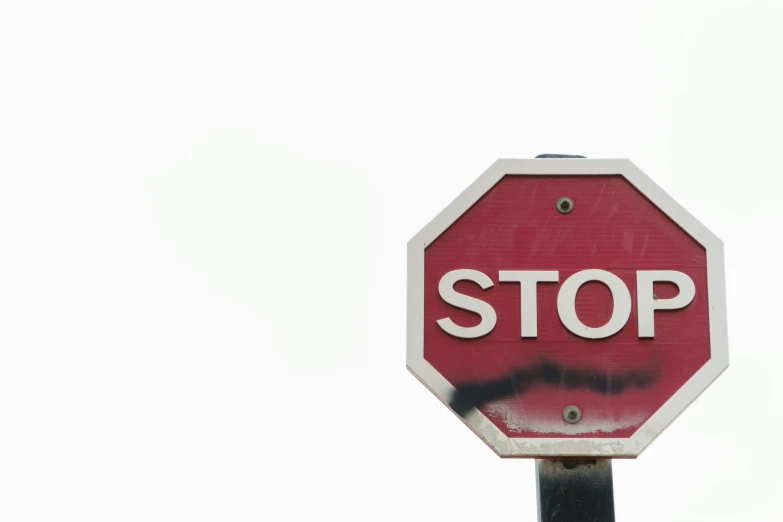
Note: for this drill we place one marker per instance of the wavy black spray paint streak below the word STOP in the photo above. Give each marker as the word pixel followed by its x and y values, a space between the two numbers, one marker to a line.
pixel 475 395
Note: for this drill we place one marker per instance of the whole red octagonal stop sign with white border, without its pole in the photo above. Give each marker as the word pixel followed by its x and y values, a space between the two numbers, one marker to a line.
pixel 566 307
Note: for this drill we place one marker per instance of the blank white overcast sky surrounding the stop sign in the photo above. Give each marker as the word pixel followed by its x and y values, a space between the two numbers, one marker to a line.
pixel 204 209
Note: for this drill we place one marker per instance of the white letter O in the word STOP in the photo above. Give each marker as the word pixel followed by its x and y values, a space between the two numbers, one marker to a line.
pixel 566 304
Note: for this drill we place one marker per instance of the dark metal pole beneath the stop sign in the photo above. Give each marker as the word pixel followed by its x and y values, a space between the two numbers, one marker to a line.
pixel 575 490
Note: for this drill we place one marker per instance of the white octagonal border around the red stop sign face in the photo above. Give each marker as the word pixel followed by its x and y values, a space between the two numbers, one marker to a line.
pixel 570 447
